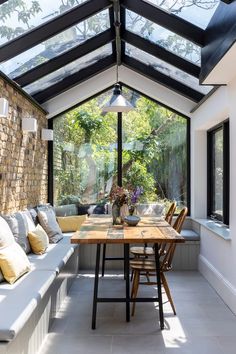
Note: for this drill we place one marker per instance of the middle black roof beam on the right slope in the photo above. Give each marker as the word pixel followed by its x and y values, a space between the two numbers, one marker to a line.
pixel 161 53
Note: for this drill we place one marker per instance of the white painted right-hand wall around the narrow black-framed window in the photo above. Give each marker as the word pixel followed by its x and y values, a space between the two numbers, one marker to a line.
pixel 217 260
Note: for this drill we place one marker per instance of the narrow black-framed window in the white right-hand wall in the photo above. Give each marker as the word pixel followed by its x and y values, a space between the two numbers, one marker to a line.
pixel 218 173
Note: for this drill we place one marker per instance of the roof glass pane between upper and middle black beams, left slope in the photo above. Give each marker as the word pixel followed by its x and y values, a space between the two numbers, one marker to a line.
pixel 56 45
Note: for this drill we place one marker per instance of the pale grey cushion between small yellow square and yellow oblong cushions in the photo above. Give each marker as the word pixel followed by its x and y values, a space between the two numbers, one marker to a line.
pixel 47 219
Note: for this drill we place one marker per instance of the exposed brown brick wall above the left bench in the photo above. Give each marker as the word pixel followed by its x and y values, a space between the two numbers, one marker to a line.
pixel 23 156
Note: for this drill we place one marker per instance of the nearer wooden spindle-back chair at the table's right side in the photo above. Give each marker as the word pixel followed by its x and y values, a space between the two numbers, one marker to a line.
pixel 141 266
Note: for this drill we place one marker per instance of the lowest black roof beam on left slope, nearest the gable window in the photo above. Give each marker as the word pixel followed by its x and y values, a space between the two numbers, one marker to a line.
pixel 75 79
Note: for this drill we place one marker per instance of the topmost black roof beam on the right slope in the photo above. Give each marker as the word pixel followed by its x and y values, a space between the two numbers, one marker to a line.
pixel 169 21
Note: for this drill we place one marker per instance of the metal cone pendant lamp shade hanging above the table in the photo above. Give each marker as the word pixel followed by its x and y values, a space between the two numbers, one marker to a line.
pixel 117 102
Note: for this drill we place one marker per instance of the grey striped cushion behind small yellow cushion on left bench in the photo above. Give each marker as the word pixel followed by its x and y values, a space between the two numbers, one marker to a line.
pixel 21 223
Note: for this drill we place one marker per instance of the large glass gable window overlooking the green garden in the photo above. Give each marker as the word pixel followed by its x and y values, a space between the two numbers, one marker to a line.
pixel 154 152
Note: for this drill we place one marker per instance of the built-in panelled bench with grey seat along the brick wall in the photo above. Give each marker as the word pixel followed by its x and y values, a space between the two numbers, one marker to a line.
pixel 29 306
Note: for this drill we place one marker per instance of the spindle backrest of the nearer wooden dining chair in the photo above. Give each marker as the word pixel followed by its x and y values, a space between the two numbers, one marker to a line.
pixel 166 262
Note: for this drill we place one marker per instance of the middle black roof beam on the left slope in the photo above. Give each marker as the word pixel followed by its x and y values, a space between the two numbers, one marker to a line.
pixel 64 59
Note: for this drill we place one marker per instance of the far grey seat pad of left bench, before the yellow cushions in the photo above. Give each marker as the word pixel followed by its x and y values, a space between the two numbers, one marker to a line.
pixel 54 258
